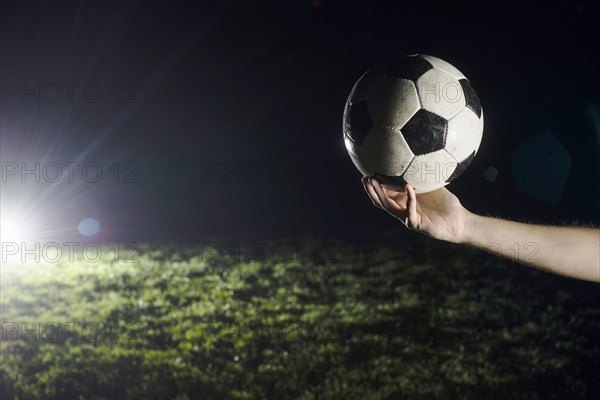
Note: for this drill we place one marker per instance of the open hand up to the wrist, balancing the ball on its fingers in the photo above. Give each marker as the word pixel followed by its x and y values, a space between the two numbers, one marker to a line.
pixel 438 214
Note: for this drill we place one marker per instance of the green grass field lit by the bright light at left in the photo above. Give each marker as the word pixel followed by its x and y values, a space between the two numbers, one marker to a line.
pixel 411 319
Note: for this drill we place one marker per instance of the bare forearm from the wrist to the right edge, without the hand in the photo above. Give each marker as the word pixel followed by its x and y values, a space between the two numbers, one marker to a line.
pixel 569 251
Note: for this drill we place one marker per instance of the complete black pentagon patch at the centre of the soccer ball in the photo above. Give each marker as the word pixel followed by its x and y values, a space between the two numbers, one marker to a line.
pixel 425 132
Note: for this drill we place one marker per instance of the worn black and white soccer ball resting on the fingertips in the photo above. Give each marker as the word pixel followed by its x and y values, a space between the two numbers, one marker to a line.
pixel 415 119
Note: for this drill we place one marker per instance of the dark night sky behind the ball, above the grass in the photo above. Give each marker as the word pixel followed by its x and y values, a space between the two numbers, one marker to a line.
pixel 258 88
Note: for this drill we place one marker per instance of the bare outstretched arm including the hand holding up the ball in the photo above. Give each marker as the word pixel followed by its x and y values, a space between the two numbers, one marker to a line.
pixel 569 251
